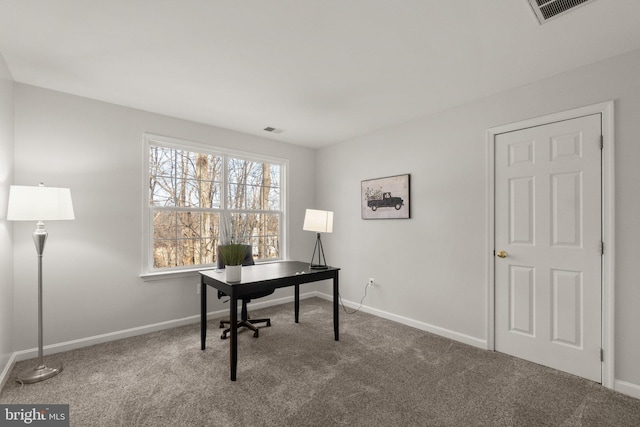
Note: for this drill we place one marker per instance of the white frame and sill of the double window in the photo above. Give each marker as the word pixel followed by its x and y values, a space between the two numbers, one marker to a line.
pixel 148 271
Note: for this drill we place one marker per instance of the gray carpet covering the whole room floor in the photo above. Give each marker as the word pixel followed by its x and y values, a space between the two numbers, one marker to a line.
pixel 380 373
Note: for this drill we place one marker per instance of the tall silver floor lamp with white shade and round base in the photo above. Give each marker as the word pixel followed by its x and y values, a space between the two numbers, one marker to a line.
pixel 39 204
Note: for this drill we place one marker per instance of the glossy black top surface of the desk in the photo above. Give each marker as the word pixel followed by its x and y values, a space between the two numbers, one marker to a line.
pixel 266 272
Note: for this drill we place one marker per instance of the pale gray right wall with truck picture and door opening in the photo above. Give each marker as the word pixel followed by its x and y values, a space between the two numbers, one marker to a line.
pixel 431 269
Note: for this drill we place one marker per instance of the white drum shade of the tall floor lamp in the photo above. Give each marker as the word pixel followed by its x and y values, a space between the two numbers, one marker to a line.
pixel 39 203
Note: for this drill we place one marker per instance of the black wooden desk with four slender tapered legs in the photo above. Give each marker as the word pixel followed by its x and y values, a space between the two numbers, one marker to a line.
pixel 257 278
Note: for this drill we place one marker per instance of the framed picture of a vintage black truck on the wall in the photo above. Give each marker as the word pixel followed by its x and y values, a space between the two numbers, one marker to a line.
pixel 385 198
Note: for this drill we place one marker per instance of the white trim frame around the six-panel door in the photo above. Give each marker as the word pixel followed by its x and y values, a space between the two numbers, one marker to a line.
pixel 606 109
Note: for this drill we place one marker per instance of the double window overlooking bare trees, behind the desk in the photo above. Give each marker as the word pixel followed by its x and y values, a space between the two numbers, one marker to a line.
pixel 198 197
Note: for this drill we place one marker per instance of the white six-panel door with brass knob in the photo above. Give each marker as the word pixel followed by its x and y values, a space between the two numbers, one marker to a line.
pixel 548 237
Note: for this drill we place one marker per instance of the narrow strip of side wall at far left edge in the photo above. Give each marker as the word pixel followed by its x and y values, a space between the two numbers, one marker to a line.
pixel 6 250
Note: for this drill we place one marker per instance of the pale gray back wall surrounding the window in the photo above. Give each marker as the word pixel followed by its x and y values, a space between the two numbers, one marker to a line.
pixel 92 265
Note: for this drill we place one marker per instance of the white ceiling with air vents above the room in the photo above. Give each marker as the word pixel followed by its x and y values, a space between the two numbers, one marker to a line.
pixel 323 71
